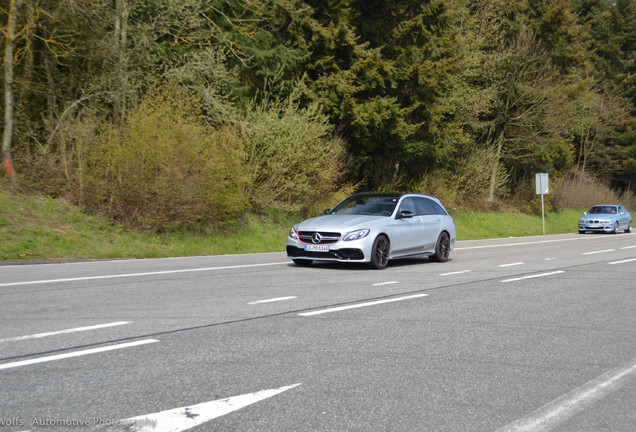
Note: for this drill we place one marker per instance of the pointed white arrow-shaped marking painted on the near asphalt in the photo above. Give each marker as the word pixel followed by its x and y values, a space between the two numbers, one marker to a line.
pixel 184 418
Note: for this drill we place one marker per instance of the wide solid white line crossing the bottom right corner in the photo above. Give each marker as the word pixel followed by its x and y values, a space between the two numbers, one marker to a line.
pixel 561 409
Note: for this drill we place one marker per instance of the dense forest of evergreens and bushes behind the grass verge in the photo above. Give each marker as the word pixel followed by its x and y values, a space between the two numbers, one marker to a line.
pixel 181 113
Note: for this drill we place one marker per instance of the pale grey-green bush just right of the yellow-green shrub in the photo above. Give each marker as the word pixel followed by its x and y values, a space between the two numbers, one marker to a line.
pixel 294 160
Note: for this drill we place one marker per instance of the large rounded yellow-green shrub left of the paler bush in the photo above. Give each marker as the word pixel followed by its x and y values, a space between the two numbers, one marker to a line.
pixel 166 168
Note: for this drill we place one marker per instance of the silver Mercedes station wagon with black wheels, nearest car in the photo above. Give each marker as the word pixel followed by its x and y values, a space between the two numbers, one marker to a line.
pixel 375 228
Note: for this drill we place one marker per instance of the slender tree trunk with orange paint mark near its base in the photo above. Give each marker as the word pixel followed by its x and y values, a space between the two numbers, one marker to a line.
pixel 14 5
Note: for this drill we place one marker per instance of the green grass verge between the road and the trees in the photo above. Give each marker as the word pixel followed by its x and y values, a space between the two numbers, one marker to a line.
pixel 37 228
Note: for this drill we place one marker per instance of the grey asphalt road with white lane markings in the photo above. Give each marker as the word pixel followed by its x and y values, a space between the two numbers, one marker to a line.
pixel 518 334
